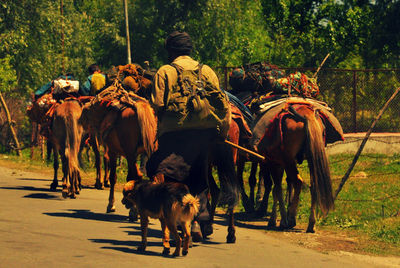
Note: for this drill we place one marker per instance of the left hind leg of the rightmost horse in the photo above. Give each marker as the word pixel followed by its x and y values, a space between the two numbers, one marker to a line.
pixel 294 185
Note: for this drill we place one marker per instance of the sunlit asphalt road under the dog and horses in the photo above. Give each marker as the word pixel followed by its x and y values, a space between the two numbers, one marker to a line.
pixel 39 228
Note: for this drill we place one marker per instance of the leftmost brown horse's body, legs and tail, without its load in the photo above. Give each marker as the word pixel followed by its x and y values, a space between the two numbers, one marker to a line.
pixel 66 133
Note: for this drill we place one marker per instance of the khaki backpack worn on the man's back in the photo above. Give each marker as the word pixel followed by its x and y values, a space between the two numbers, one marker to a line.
pixel 196 103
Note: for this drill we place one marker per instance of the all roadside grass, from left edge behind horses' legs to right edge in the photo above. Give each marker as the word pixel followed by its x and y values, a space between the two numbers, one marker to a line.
pixel 368 207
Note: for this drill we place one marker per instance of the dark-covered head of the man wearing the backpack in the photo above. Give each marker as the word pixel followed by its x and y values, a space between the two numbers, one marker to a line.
pixel 179 43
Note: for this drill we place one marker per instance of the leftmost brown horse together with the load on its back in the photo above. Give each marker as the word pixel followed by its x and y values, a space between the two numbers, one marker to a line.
pixel 58 112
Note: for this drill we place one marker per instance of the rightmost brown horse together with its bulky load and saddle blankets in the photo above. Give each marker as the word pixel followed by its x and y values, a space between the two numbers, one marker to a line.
pixel 290 126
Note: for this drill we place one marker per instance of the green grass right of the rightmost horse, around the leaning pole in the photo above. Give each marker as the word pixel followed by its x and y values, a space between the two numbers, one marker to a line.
pixel 369 202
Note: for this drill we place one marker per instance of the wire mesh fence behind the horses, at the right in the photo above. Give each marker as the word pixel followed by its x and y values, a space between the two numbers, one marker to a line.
pixel 355 96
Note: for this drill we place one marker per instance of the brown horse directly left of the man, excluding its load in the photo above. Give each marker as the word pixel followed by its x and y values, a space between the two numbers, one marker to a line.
pixel 124 133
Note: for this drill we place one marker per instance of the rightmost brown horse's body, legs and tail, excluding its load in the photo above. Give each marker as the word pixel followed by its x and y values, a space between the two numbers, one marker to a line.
pixel 297 133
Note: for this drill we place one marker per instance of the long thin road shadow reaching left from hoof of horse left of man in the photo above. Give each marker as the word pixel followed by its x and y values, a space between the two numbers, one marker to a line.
pixel 88 215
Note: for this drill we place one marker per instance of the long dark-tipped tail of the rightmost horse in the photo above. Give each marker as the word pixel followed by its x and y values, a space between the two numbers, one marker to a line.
pixel 321 185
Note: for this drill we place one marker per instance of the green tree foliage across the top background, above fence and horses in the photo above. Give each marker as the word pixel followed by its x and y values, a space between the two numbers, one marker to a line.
pixel 296 33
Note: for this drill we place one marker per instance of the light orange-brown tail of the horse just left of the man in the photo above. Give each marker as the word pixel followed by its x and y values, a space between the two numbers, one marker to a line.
pixel 148 126
